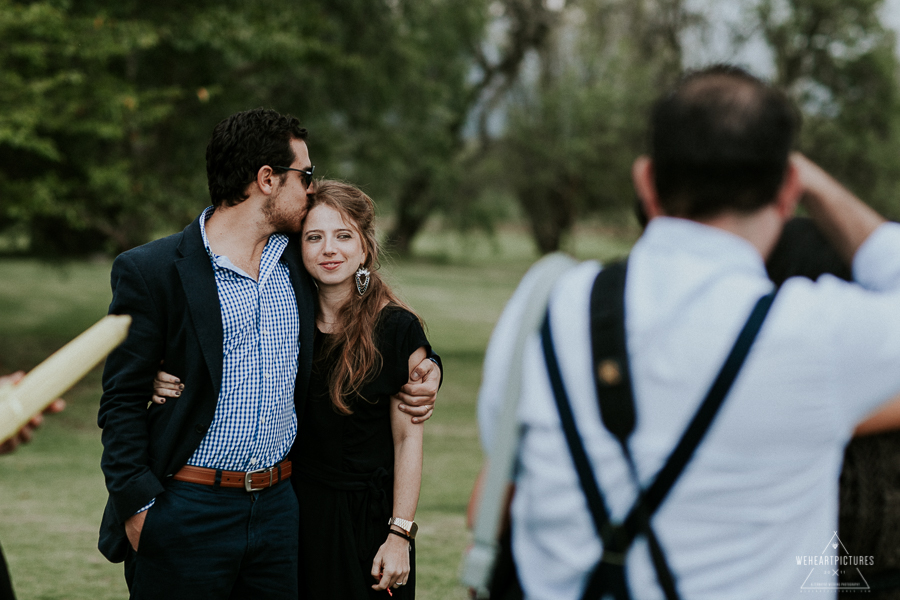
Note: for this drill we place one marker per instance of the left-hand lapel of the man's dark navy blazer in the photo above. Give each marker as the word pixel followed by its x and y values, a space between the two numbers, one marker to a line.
pixel 199 283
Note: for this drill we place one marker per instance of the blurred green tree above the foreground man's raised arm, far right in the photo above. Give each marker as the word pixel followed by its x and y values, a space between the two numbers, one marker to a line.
pixel 838 61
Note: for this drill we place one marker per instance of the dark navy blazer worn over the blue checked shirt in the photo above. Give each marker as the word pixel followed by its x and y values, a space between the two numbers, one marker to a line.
pixel 169 289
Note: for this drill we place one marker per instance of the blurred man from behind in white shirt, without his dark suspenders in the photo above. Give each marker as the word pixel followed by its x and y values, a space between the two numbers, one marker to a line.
pixel 757 504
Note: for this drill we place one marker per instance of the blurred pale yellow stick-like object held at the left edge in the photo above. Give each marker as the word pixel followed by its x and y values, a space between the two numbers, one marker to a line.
pixel 63 369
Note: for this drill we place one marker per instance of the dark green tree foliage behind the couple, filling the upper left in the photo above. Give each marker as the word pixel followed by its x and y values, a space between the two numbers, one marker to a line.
pixel 106 107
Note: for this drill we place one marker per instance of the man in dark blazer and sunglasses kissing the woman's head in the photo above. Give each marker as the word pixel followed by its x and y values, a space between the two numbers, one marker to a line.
pixel 228 306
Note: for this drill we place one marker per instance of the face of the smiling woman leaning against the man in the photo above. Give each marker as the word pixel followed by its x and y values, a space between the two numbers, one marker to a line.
pixel 332 247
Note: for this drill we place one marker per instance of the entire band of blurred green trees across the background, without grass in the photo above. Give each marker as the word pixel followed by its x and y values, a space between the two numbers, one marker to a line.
pixel 432 106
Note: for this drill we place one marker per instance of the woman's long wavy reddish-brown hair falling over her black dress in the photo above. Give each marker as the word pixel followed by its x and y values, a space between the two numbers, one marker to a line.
pixel 353 338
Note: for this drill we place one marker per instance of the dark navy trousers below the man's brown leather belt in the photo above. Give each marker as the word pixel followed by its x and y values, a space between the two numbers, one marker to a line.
pixel 202 541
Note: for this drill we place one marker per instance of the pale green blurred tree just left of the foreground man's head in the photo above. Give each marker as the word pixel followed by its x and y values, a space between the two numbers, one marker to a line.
pixel 575 127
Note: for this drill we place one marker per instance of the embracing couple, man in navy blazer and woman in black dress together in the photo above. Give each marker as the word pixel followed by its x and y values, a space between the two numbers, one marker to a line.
pixel 288 360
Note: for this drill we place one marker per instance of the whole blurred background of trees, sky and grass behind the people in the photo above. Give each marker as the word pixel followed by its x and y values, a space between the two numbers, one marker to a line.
pixel 487 131
